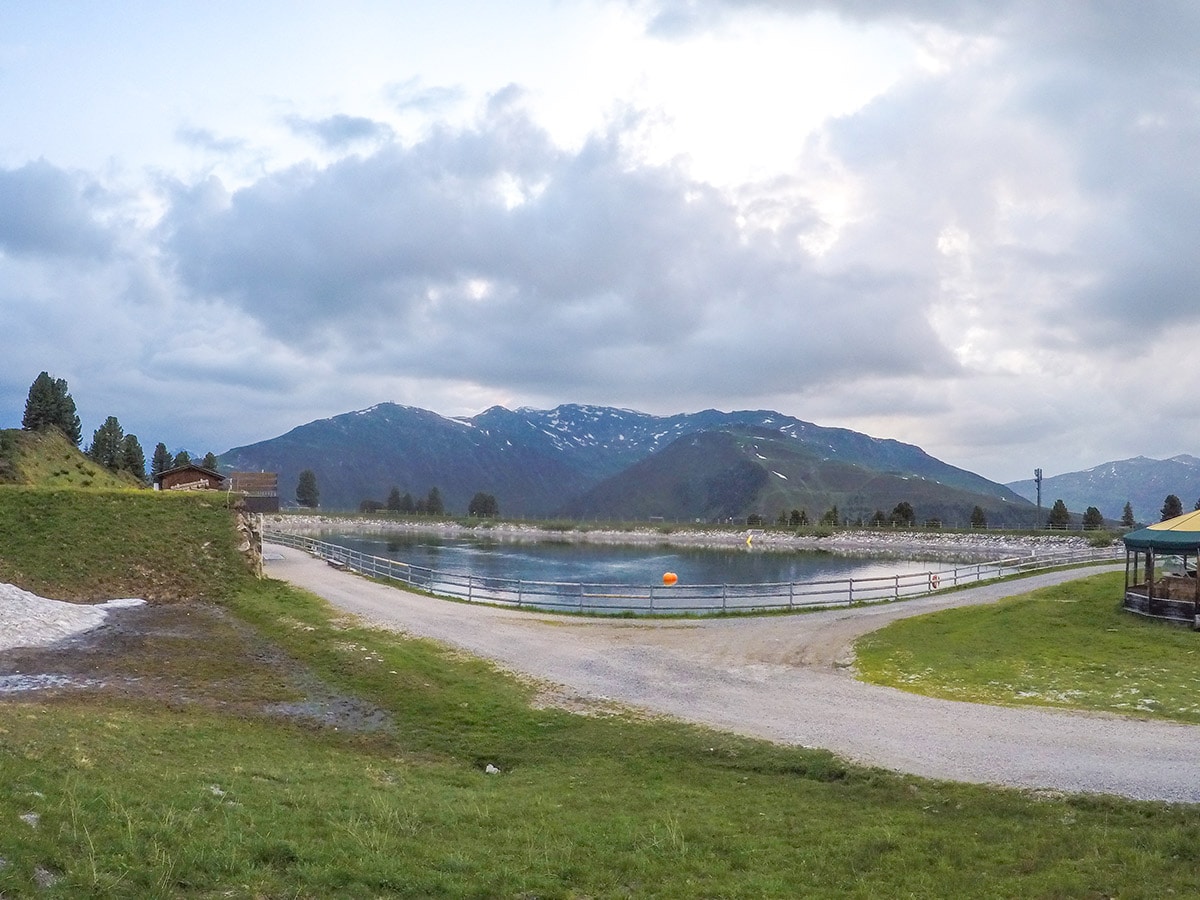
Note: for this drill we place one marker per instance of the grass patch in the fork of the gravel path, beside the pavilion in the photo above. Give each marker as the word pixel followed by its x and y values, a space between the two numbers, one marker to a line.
pixel 1069 646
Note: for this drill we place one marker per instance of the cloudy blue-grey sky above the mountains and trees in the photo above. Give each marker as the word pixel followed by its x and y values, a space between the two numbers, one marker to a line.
pixel 970 225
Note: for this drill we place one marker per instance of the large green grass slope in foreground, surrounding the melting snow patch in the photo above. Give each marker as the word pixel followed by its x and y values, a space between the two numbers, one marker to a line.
pixel 201 789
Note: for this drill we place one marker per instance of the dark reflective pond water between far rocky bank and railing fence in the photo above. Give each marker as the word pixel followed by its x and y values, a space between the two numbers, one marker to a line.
pixel 623 565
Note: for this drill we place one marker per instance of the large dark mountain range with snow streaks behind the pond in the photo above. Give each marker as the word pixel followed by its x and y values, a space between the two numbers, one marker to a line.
pixel 602 463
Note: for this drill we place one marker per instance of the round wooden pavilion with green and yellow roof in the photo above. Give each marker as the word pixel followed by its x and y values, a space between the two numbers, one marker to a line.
pixel 1161 571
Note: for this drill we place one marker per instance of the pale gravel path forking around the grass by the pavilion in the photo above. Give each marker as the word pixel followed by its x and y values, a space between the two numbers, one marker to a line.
pixel 785 680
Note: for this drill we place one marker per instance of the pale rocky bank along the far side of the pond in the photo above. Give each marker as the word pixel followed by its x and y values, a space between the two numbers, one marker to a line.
pixel 982 545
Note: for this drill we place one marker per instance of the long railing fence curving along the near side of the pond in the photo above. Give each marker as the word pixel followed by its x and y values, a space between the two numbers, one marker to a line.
pixel 610 598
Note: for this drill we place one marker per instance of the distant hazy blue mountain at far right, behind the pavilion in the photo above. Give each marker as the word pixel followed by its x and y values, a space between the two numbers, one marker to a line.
pixel 1142 483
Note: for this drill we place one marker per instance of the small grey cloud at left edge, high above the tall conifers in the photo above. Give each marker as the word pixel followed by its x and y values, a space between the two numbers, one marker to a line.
pixel 45 211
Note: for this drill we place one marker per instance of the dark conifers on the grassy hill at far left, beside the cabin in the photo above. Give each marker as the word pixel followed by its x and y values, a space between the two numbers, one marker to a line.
pixel 50 405
